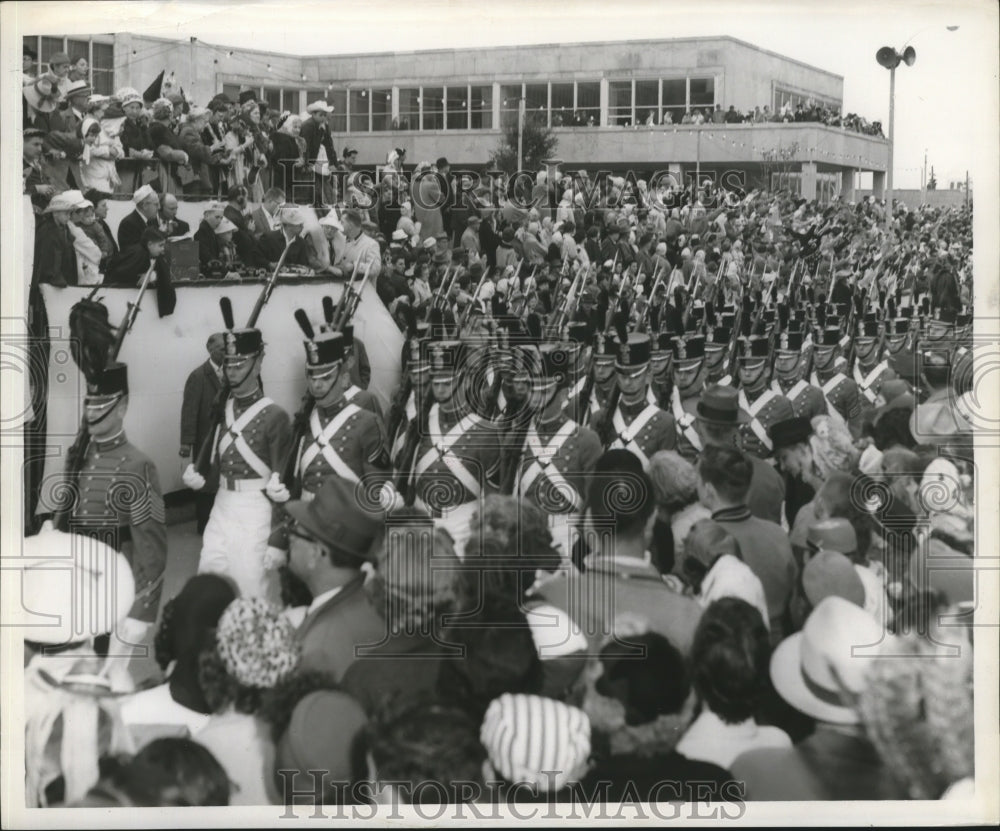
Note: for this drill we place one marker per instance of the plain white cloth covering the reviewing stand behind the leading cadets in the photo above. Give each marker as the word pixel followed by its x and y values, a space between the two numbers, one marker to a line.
pixel 162 352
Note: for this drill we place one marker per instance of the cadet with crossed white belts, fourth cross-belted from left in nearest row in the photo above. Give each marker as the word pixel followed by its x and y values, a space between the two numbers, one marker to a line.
pixel 557 453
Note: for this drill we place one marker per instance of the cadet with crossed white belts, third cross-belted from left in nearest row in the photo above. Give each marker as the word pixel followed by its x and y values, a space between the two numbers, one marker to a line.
pixel 458 457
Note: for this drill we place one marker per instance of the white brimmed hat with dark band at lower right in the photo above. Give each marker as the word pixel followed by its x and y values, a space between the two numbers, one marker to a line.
pixel 830 657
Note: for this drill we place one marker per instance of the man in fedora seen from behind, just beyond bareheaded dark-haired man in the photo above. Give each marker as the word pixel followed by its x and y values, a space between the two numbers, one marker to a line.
pixel 718 418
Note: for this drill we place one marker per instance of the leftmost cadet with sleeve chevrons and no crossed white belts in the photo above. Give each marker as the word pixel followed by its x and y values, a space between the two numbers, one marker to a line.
pixel 119 500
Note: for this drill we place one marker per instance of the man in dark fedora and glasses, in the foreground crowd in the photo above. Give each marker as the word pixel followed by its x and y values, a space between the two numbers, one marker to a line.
pixel 332 537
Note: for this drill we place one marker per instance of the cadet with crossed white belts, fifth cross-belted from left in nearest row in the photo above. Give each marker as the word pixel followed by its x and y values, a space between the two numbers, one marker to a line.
pixel 636 425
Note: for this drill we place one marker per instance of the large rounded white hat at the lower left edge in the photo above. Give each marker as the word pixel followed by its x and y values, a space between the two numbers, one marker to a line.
pixel 72 588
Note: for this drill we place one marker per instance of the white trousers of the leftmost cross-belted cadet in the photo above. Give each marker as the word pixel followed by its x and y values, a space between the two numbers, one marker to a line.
pixel 235 541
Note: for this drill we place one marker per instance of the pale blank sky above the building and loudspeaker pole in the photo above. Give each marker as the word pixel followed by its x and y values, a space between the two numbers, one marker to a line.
pixel 946 103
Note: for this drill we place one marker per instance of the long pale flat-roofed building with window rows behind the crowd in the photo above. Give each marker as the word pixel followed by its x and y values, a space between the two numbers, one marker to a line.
pixel 605 101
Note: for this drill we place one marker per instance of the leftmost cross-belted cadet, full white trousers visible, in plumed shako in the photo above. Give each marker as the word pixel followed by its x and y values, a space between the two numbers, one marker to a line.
pixel 251 442
